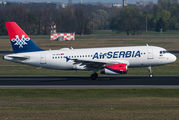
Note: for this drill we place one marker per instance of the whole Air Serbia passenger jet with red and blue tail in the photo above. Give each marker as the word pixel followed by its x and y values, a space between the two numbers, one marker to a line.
pixel 110 60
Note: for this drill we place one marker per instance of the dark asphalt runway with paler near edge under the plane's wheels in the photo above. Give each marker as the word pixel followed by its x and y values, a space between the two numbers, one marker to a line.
pixel 84 82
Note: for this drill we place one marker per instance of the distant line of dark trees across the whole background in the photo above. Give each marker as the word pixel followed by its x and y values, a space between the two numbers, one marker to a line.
pixel 35 18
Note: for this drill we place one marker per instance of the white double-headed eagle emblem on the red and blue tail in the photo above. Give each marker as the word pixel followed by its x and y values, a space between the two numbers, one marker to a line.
pixel 20 42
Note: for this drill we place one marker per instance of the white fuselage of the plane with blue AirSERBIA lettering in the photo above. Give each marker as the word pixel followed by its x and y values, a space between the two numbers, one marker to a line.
pixel 138 56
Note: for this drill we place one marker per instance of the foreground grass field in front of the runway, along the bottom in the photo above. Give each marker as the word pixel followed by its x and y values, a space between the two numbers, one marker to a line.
pixel 95 104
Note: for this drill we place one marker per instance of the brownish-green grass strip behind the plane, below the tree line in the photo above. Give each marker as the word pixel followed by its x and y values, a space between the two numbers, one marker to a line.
pixel 169 42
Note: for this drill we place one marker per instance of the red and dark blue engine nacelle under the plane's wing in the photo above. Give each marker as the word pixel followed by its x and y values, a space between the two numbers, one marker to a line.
pixel 115 69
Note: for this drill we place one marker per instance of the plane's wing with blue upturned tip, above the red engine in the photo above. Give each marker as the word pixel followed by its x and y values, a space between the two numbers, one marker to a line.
pixel 97 63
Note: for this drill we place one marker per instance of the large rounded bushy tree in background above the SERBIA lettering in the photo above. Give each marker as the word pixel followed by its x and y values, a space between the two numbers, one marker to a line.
pixel 129 19
